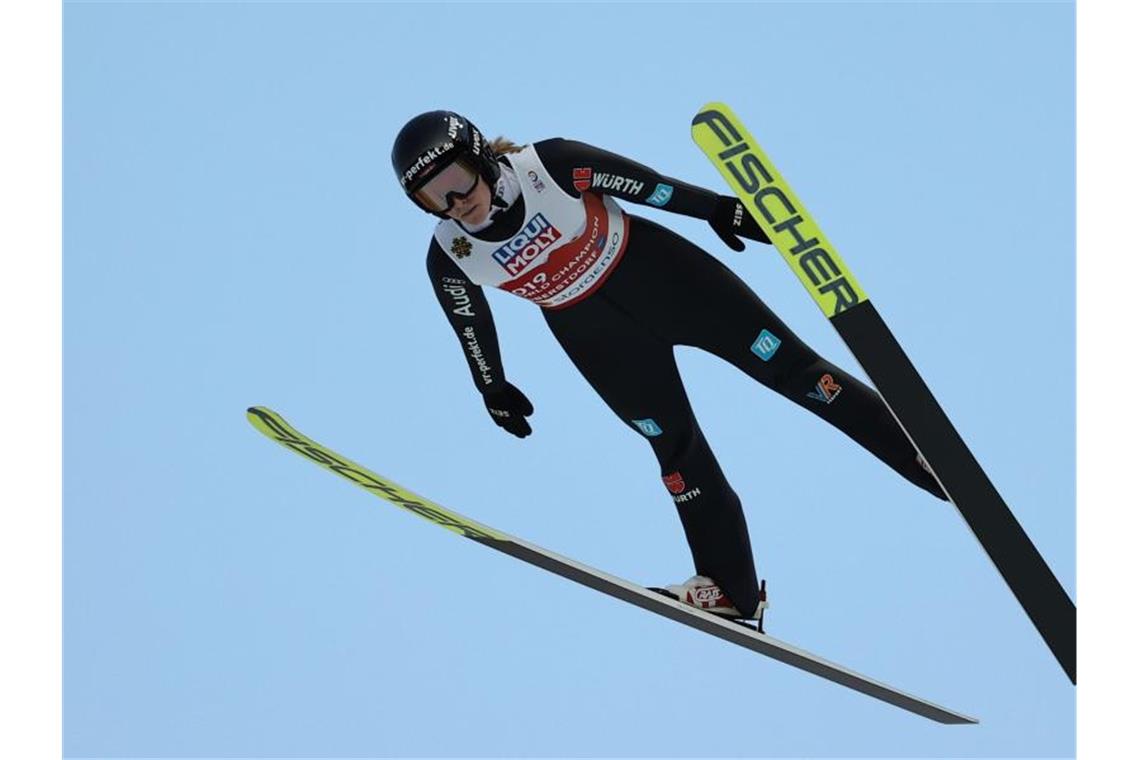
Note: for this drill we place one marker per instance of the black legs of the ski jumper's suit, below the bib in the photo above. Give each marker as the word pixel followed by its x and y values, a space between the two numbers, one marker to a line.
pixel 669 292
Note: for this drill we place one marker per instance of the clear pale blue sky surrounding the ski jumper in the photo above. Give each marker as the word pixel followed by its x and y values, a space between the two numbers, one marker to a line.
pixel 234 235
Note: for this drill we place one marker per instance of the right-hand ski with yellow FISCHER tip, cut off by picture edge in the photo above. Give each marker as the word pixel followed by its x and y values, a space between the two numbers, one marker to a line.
pixel 769 198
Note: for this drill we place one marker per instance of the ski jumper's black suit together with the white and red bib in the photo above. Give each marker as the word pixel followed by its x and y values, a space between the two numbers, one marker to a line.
pixel 621 292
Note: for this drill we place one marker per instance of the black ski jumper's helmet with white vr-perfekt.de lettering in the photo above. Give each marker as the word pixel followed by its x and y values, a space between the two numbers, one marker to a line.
pixel 430 143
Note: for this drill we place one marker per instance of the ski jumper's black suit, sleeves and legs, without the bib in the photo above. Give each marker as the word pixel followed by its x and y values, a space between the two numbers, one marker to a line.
pixel 667 292
